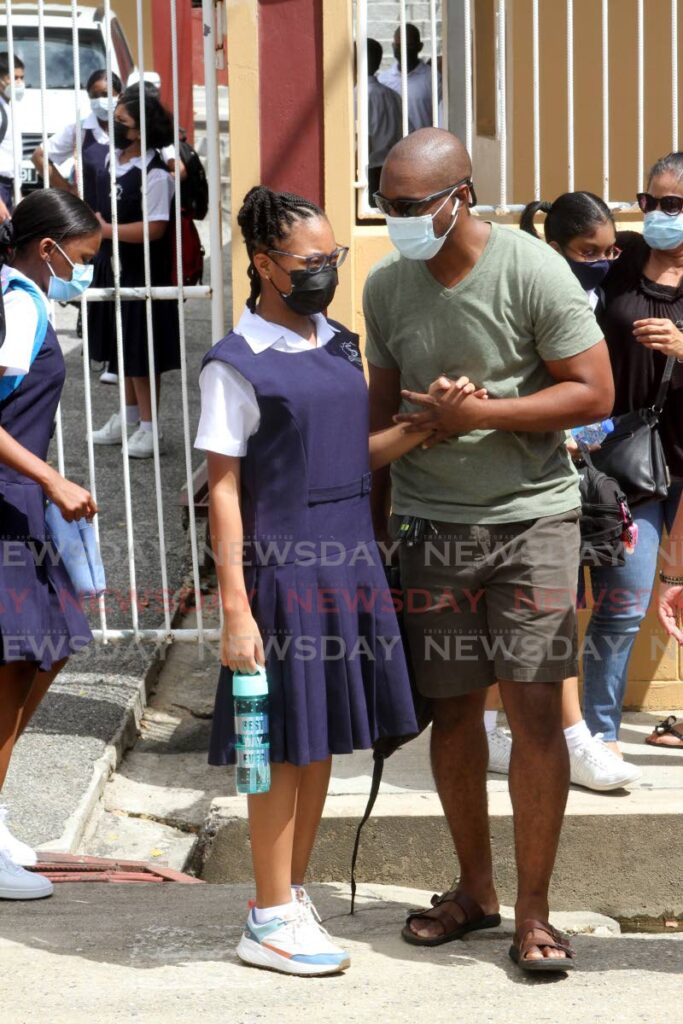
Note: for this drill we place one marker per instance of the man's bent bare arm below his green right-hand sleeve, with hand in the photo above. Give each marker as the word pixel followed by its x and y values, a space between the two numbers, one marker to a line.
pixel 584 393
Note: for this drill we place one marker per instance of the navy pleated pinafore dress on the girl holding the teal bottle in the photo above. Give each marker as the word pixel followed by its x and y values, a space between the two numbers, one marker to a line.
pixel 337 673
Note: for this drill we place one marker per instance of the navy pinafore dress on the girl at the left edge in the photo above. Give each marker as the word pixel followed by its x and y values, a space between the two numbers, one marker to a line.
pixel 41 618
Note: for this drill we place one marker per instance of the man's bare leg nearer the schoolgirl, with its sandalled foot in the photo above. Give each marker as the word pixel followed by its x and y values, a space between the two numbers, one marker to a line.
pixel 460 758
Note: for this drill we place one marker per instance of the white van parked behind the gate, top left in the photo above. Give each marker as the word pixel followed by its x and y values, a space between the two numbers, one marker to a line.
pixel 60 98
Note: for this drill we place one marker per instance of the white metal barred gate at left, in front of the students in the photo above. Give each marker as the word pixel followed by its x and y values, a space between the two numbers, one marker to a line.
pixel 146 292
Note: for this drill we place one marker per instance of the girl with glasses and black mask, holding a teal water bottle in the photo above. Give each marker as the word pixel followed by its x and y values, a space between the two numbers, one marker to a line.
pixel 285 422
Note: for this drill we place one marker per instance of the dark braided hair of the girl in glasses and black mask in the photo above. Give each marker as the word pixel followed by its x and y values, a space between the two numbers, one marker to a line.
pixel 265 220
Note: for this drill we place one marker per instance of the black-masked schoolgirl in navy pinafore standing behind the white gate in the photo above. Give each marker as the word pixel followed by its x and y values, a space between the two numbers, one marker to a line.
pixel 102 328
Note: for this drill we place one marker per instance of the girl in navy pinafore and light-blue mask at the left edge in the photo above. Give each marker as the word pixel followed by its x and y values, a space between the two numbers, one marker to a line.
pixel 46 250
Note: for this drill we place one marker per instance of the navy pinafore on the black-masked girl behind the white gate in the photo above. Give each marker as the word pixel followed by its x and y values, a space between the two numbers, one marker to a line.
pixel 102 328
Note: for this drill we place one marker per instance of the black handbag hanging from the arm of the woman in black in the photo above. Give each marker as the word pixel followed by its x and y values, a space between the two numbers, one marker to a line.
pixel 634 455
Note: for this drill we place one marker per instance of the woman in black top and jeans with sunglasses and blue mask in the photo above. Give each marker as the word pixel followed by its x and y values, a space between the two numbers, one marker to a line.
pixel 644 306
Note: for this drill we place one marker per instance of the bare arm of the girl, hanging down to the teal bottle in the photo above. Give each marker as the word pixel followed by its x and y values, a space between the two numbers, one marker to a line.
pixel 242 647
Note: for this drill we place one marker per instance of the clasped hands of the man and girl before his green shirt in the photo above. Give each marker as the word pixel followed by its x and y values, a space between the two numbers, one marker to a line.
pixel 449 408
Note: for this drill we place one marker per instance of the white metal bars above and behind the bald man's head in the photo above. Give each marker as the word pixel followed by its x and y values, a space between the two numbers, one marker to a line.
pixel 458 45
